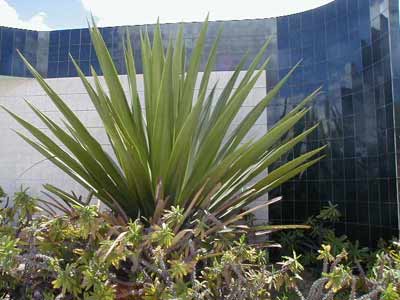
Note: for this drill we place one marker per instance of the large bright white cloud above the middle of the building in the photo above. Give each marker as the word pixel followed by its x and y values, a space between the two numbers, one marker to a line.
pixel 131 12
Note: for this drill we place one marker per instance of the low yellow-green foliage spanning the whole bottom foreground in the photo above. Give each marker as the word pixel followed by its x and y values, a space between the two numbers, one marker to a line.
pixel 87 254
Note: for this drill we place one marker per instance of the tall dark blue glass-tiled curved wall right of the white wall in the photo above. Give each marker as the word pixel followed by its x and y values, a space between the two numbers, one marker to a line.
pixel 346 50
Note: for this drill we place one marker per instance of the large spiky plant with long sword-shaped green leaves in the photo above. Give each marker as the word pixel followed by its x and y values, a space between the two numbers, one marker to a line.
pixel 182 151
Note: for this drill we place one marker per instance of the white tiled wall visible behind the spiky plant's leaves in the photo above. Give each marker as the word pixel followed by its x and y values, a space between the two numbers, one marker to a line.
pixel 22 165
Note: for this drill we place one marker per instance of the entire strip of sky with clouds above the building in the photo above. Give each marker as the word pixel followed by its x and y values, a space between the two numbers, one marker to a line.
pixel 62 14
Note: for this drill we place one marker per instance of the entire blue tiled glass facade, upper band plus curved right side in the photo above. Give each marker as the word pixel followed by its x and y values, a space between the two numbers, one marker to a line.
pixel 349 47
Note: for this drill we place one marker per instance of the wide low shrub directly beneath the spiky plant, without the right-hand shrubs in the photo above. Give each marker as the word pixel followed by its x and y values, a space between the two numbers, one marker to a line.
pixel 88 254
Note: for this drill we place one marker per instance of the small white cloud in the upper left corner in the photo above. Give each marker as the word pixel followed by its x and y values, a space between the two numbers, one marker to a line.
pixel 10 18
